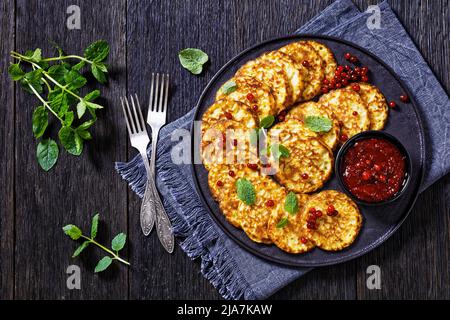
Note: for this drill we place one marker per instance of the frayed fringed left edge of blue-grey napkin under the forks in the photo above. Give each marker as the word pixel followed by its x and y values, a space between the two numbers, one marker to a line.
pixel 200 237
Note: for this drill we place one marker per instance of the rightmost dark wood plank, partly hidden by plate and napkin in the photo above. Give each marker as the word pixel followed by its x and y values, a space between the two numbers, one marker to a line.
pixel 414 262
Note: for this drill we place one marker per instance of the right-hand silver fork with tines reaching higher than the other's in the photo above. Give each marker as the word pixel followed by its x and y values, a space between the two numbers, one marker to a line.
pixel 156 118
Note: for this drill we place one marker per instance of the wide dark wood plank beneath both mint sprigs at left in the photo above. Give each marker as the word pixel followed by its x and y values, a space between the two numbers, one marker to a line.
pixel 77 187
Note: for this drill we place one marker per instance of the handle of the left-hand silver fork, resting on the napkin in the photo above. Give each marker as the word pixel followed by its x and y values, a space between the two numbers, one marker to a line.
pixel 148 205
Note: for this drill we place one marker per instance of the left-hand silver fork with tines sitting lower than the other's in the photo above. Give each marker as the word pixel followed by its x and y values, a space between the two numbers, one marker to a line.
pixel 140 140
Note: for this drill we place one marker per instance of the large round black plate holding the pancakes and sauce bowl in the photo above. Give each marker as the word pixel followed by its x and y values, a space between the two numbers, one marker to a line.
pixel 379 222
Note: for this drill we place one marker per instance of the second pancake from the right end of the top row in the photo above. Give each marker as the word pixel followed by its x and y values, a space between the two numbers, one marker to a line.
pixel 301 51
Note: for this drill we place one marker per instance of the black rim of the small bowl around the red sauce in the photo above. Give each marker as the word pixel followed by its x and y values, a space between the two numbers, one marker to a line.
pixel 366 135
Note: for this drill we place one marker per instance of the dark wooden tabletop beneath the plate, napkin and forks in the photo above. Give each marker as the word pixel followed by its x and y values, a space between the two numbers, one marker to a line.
pixel 146 36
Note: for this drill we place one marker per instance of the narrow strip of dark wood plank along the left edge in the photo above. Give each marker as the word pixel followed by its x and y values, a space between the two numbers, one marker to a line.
pixel 6 153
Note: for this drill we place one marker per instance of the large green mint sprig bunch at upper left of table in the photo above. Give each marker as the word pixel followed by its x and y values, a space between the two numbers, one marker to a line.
pixel 58 84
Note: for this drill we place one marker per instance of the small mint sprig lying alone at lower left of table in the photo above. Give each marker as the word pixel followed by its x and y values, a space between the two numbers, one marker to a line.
pixel 117 244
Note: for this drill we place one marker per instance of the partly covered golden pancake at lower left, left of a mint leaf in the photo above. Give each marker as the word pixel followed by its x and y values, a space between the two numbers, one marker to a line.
pixel 226 194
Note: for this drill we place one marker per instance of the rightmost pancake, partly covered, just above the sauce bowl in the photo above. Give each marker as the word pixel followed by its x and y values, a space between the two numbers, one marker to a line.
pixel 376 105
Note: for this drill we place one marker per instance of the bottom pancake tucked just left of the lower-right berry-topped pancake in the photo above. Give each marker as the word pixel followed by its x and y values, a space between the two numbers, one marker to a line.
pixel 289 238
